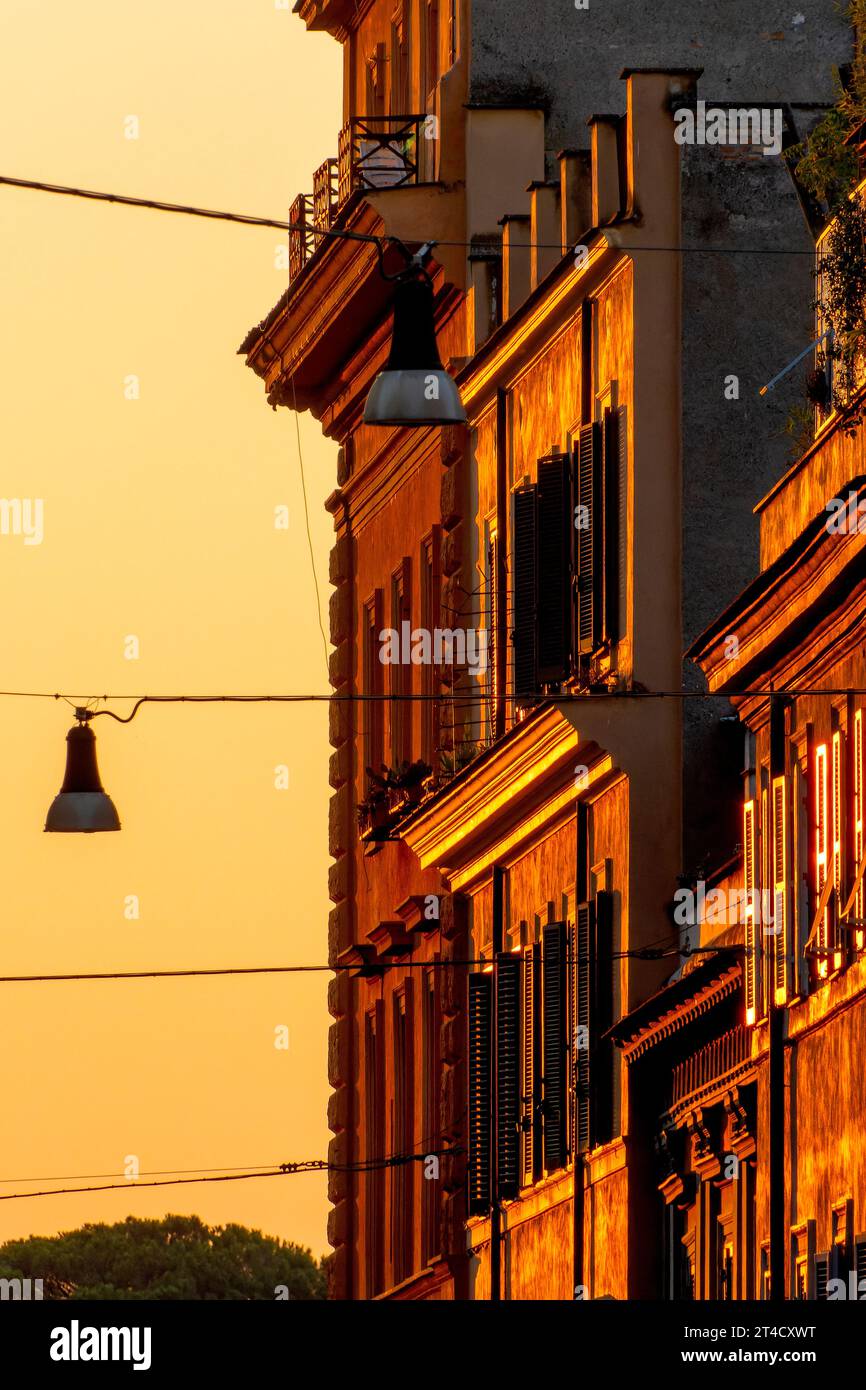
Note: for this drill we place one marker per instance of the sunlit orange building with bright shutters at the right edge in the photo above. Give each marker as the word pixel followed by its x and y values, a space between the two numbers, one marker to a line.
pixel 799 633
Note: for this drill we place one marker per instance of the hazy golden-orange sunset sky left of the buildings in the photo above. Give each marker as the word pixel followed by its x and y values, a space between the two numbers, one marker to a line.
pixel 159 523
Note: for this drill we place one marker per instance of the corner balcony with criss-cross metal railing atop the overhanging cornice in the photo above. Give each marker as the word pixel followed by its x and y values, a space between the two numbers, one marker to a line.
pixel 375 154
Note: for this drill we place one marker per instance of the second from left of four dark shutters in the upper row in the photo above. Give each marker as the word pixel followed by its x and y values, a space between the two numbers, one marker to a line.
pixel 554 593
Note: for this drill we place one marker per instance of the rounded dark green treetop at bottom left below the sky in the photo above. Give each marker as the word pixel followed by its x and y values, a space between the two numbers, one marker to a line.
pixel 179 1257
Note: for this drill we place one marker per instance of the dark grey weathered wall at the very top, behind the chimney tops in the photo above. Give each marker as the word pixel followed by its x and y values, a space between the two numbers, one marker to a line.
pixel 571 60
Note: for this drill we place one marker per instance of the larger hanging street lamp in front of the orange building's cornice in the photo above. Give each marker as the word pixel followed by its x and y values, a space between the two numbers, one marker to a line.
pixel 414 389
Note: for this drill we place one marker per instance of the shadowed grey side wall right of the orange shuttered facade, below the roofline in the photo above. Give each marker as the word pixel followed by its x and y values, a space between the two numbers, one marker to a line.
pixel 747 312
